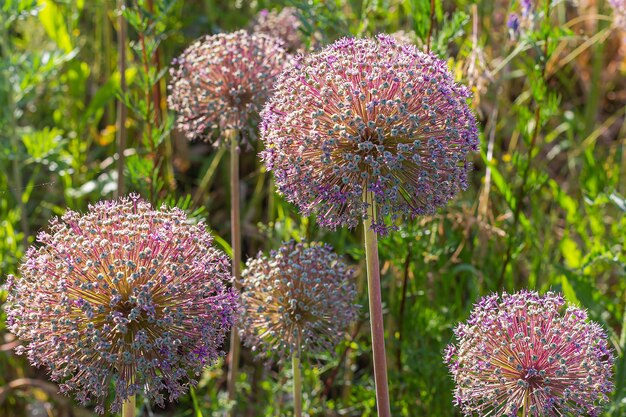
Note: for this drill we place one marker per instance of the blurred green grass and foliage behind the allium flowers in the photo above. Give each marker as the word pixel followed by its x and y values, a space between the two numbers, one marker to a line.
pixel 545 209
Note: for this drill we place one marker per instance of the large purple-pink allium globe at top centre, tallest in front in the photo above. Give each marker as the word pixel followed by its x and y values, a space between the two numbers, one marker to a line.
pixel 368 115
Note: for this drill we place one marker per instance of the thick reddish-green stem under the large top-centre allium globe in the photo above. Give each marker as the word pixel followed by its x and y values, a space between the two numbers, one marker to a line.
pixel 376 312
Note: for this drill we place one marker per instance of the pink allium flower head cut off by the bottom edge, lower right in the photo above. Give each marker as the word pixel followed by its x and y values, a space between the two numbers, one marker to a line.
pixel 527 355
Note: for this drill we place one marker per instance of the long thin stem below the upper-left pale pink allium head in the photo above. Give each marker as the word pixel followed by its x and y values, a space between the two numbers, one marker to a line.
pixel 235 228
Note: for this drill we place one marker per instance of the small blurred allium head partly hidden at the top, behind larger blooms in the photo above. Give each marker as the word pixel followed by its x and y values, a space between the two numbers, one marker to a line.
pixel 284 25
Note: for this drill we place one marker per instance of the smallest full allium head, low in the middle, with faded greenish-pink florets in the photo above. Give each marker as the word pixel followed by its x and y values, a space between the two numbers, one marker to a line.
pixel 299 297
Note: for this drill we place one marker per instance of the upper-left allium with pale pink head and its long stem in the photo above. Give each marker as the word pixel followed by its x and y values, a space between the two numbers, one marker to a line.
pixel 218 86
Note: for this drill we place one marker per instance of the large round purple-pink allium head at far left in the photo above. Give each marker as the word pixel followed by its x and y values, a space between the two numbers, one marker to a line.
pixel 124 294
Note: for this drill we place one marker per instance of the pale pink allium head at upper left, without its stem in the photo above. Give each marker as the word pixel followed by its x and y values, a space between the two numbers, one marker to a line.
pixel 221 82
